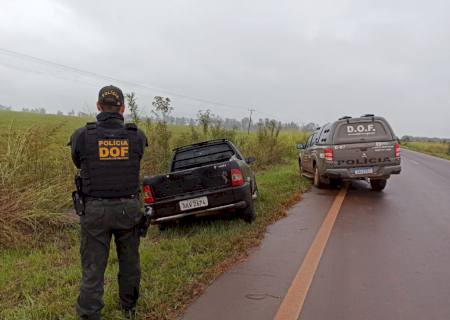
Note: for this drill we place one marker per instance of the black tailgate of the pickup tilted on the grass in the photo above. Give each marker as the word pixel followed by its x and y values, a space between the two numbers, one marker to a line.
pixel 192 180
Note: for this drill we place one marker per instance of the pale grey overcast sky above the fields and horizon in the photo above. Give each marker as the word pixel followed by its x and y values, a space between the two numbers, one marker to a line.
pixel 305 61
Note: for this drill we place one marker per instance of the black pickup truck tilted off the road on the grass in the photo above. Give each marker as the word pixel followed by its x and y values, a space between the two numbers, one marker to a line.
pixel 204 178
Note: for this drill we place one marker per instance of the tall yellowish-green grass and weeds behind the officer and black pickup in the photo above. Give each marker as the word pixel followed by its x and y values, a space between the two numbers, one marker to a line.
pixel 36 169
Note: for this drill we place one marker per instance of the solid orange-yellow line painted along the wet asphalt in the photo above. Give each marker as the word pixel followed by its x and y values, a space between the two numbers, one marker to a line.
pixel 292 304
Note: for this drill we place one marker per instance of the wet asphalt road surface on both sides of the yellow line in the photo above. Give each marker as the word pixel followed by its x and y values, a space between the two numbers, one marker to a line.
pixel 388 256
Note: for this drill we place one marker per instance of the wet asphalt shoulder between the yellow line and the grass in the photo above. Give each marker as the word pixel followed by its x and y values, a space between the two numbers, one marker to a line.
pixel 255 288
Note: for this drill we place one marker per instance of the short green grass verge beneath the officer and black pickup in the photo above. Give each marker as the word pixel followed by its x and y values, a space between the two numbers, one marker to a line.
pixel 176 265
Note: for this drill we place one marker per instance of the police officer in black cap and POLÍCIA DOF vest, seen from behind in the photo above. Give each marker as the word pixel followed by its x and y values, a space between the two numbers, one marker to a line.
pixel 108 152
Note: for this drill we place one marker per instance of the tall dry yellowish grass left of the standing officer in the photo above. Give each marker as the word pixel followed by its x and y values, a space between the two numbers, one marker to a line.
pixel 33 184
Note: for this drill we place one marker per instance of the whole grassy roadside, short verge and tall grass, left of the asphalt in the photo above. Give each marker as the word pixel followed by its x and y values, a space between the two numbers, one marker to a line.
pixel 40 269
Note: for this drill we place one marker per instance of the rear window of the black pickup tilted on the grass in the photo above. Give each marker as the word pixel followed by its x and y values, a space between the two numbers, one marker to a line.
pixel 185 159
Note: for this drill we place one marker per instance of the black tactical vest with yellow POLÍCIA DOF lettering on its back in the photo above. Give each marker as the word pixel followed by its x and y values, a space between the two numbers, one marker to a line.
pixel 110 167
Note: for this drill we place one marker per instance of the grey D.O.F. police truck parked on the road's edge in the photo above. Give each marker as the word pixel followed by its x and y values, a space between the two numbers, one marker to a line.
pixel 351 148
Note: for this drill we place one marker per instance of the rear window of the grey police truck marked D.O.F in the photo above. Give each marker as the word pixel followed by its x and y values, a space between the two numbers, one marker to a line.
pixel 362 131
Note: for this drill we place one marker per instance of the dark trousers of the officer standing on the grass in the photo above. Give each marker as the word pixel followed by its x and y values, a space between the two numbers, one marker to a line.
pixel 104 218
